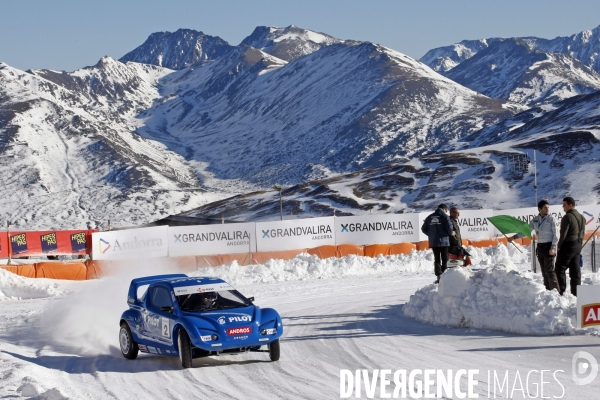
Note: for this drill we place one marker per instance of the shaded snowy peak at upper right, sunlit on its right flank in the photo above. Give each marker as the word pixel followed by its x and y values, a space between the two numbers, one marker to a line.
pixel 511 70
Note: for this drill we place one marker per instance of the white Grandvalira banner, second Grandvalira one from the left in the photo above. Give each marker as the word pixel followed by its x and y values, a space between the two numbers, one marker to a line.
pixel 295 234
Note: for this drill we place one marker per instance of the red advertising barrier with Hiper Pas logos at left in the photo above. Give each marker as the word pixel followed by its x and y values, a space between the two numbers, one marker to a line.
pixel 42 243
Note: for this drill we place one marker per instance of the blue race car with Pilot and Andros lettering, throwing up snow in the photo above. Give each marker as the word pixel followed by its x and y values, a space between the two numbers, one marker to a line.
pixel 191 317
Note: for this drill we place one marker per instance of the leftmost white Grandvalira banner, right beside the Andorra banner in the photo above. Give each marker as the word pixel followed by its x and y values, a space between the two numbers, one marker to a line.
pixel 202 240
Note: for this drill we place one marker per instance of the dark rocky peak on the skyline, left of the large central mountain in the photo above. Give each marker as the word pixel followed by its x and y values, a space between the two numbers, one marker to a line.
pixel 178 50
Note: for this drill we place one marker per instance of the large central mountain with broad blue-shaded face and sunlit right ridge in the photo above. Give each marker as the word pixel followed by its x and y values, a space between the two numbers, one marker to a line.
pixel 345 107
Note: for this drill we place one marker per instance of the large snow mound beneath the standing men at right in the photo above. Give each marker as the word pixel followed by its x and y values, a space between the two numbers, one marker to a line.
pixel 499 298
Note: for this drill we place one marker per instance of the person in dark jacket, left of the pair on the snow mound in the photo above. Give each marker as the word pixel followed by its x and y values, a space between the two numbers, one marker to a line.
pixel 438 228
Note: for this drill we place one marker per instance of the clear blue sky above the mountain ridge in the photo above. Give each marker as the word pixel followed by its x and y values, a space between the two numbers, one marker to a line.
pixel 67 35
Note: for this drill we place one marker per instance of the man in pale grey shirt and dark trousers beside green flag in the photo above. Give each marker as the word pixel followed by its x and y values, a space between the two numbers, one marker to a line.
pixel 544 226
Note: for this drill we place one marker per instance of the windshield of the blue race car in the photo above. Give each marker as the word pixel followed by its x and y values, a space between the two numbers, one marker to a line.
pixel 217 300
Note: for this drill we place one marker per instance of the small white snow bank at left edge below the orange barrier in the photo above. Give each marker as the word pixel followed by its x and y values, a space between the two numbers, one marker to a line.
pixel 15 287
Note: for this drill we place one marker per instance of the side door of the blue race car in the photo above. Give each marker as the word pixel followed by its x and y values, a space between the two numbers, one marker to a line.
pixel 159 323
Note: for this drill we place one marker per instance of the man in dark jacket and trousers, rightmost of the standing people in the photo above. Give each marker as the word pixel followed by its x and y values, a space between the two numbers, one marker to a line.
pixel 572 231
